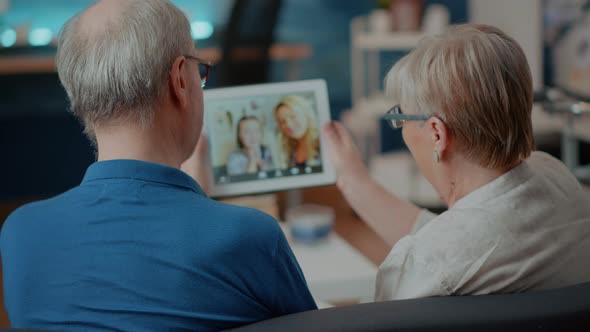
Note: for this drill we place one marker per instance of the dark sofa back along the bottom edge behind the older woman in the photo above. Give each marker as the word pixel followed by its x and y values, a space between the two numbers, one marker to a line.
pixel 565 309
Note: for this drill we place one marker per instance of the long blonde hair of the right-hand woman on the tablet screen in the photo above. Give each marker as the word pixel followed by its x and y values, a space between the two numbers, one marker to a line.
pixel 287 145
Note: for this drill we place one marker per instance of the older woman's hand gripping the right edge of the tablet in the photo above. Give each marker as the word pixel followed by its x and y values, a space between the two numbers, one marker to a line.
pixel 344 154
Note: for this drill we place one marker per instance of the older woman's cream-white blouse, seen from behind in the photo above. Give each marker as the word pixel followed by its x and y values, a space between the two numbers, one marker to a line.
pixel 527 229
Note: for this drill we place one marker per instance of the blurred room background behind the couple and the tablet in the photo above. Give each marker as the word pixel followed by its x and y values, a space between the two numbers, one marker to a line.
pixel 349 43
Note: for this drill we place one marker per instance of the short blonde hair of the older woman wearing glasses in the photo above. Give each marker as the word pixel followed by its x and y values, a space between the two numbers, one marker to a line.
pixel 476 79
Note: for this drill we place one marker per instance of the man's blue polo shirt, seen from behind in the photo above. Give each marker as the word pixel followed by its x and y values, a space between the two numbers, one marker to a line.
pixel 139 247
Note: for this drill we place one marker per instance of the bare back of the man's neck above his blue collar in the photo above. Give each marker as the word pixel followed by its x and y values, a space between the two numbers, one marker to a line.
pixel 151 145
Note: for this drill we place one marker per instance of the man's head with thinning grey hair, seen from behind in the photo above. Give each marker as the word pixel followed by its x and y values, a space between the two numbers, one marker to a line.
pixel 121 63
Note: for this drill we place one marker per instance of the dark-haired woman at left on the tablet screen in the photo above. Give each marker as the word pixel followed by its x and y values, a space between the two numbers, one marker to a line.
pixel 252 157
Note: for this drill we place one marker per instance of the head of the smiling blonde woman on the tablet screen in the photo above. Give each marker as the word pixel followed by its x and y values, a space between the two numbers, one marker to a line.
pixel 293 116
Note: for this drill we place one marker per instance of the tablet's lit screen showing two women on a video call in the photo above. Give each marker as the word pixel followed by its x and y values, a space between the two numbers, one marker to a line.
pixel 263 137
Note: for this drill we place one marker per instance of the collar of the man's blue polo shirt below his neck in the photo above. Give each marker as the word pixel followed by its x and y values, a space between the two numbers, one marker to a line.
pixel 140 170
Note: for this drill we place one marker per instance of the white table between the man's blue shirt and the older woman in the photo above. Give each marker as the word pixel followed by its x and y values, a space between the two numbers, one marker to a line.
pixel 334 270
